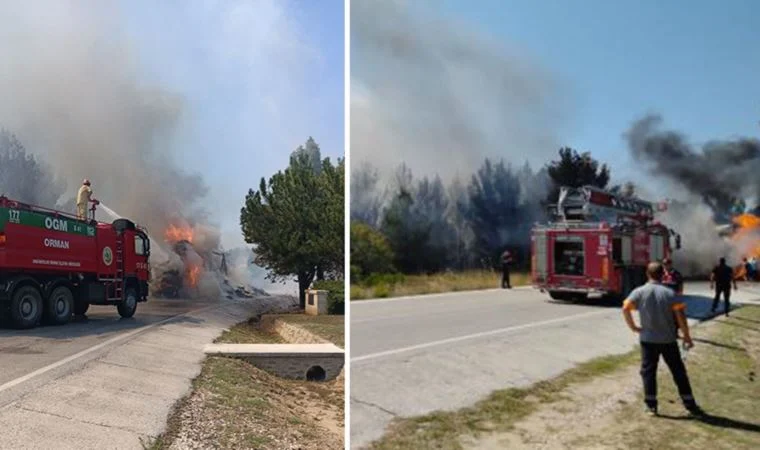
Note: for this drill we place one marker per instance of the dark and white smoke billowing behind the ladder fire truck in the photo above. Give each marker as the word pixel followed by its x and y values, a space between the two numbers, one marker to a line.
pixel 712 177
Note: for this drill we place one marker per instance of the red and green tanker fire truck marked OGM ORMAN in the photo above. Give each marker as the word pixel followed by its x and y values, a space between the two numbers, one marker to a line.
pixel 53 264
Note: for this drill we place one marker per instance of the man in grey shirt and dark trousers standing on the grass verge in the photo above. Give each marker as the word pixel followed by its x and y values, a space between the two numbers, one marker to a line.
pixel 658 335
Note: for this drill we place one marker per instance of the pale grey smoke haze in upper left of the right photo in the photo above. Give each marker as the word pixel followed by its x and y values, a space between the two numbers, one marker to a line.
pixel 440 97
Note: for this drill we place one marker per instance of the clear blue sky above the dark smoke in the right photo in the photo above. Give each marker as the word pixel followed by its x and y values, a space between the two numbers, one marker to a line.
pixel 696 62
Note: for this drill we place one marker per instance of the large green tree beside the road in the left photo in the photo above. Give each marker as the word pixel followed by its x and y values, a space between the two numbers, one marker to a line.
pixel 296 220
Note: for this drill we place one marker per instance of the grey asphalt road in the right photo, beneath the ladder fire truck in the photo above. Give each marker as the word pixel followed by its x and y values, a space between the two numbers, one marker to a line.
pixel 411 356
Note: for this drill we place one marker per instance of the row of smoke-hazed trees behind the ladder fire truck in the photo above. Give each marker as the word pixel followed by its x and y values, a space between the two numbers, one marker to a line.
pixel 422 225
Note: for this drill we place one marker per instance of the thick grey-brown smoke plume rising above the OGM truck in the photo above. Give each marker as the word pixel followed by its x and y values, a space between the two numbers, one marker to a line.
pixel 74 91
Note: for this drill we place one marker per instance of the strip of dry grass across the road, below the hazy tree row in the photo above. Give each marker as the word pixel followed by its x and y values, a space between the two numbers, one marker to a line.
pixel 437 283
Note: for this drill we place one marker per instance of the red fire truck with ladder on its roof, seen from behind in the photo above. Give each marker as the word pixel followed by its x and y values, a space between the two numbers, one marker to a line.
pixel 597 244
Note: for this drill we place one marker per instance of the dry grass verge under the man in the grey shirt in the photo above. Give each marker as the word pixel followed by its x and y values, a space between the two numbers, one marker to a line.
pixel 722 370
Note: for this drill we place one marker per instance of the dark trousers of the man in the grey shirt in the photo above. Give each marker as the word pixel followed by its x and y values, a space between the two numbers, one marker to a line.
pixel 650 357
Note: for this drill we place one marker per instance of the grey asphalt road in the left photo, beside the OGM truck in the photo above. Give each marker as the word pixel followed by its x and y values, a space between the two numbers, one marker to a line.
pixel 108 382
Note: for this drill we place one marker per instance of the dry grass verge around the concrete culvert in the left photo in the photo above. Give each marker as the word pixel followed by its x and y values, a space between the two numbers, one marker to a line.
pixel 233 404
